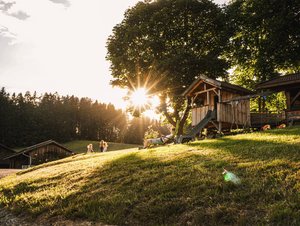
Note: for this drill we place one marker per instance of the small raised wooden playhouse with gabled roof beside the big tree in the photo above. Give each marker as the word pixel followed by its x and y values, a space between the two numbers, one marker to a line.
pixel 221 98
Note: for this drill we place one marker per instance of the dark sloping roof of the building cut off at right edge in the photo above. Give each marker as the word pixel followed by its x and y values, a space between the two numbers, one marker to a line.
pixel 286 80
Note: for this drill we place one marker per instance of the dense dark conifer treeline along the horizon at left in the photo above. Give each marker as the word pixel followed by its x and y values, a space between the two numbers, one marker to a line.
pixel 26 119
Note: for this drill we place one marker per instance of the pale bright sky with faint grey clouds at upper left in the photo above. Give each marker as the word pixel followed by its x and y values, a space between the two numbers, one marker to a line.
pixel 60 46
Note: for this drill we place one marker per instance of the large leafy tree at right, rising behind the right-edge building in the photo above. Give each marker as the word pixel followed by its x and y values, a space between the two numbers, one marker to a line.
pixel 265 38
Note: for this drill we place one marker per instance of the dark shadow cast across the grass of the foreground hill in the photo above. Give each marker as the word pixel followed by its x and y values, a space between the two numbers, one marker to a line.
pixel 186 189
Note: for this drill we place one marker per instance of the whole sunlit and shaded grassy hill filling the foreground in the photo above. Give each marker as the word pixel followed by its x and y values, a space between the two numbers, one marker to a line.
pixel 170 185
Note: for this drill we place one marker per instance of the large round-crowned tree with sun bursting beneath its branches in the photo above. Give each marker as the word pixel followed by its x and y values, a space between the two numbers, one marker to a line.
pixel 164 45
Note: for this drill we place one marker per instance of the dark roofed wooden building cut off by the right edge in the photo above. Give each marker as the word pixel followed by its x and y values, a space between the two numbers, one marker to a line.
pixel 290 85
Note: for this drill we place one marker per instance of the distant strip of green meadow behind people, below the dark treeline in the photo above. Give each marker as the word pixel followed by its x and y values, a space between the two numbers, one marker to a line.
pixel 79 146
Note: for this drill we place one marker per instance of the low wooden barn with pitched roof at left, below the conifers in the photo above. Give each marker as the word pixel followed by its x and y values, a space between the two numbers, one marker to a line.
pixel 37 154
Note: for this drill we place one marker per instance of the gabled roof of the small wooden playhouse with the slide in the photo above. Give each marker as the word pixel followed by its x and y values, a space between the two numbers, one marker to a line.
pixel 219 84
